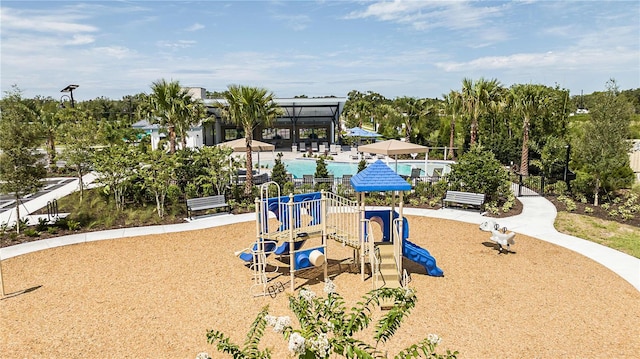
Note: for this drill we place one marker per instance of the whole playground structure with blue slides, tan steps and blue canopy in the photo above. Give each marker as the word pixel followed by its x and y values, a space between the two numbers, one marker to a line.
pixel 305 222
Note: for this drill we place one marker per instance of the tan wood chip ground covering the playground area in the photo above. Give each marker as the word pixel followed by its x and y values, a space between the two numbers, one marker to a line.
pixel 157 296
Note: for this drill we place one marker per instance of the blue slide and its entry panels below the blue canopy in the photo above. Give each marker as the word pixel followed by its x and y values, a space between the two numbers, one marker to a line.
pixel 410 250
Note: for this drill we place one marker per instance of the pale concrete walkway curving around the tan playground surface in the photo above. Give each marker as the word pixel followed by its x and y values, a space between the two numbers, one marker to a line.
pixel 536 220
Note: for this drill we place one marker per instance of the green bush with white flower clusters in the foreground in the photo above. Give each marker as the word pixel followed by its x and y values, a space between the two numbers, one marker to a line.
pixel 327 327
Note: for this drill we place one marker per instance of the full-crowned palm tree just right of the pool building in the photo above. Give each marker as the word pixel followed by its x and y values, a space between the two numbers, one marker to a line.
pixel 476 98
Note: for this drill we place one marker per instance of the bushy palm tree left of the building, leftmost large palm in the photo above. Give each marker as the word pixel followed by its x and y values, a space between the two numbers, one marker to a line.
pixel 170 107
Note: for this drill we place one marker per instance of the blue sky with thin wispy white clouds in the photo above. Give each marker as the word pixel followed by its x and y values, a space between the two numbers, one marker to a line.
pixel 316 48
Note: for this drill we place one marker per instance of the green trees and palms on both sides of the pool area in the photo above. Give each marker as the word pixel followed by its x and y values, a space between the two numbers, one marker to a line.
pixel 524 124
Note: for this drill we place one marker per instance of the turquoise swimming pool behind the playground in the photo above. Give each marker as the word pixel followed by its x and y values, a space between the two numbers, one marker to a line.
pixel 300 167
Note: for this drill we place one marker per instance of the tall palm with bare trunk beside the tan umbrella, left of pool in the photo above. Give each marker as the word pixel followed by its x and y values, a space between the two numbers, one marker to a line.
pixel 249 107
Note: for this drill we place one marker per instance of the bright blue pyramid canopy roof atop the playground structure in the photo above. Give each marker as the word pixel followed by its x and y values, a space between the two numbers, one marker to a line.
pixel 379 177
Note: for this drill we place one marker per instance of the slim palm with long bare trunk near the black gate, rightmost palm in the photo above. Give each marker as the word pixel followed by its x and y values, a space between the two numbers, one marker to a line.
pixel 528 100
